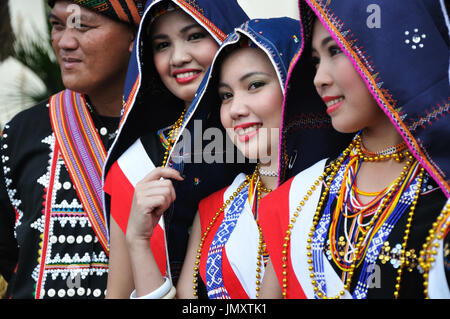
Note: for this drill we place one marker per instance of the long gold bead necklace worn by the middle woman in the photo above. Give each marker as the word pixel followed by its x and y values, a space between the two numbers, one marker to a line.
pixel 252 181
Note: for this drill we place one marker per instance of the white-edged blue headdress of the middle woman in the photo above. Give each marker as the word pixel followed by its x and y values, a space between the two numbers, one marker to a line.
pixel 279 38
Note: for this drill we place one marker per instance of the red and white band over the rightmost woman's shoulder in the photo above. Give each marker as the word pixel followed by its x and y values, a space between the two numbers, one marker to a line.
pixel 289 196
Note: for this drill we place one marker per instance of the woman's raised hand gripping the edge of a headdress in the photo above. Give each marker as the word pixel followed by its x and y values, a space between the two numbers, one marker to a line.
pixel 152 197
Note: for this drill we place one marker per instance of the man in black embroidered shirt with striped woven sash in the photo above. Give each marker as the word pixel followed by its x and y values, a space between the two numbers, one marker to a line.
pixel 54 242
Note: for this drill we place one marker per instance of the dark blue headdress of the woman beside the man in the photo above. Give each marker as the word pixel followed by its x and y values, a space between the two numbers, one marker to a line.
pixel 147 103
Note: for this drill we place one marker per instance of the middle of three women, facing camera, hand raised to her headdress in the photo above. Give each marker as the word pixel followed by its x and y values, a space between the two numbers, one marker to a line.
pixel 225 251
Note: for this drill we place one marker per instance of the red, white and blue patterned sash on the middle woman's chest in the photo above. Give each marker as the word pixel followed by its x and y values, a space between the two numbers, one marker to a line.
pixel 230 248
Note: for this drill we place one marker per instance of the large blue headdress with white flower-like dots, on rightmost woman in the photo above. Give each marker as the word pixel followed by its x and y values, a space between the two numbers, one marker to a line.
pixel 400 49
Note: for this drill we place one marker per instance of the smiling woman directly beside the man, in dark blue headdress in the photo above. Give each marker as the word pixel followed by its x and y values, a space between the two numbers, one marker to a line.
pixel 175 46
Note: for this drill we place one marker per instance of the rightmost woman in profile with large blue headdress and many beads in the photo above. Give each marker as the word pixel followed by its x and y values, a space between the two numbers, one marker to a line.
pixel 370 223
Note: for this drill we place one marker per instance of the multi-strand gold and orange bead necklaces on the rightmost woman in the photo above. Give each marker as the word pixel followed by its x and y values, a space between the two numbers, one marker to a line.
pixel 380 212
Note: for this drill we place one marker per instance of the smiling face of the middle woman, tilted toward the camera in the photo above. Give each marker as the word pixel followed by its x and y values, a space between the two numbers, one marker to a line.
pixel 251 103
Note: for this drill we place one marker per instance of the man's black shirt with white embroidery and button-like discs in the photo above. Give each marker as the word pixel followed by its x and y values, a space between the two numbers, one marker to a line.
pixel 76 265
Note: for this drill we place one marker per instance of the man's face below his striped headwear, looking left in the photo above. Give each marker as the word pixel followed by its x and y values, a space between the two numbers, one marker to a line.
pixel 92 50
